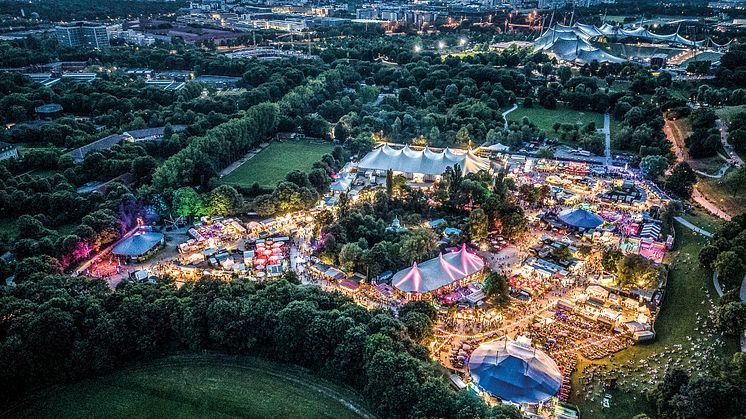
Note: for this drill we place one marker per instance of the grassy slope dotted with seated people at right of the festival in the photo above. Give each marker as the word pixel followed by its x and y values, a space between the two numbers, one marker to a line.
pixel 683 321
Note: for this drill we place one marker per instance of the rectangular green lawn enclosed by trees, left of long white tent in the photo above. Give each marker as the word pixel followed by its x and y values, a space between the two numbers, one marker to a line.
pixel 277 160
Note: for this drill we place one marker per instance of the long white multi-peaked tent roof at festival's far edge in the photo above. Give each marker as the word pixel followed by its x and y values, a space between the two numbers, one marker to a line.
pixel 426 161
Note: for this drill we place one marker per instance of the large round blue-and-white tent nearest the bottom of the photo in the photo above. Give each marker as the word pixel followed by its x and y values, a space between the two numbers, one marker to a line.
pixel 514 372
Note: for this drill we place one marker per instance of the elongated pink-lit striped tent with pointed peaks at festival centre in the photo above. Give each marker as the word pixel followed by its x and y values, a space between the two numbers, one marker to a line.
pixel 438 272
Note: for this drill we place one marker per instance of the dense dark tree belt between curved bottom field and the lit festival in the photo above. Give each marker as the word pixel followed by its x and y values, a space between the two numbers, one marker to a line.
pixel 86 330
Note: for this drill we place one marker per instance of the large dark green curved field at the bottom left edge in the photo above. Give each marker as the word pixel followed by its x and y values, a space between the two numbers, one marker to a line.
pixel 196 387
